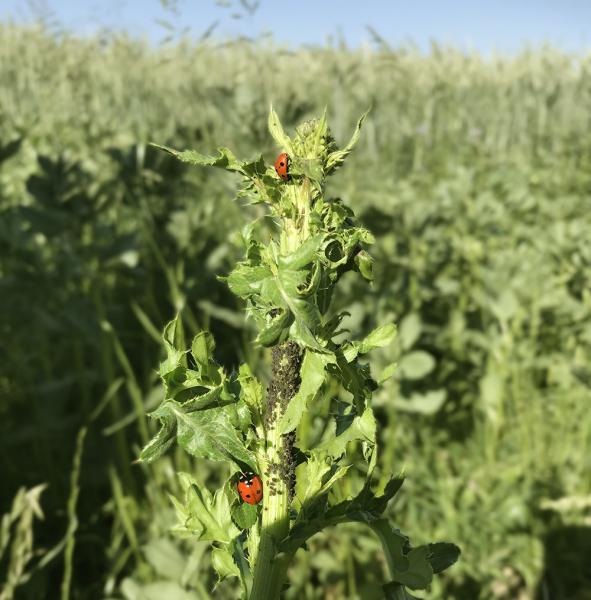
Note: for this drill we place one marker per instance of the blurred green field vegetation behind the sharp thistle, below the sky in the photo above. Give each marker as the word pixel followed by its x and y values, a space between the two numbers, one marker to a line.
pixel 475 176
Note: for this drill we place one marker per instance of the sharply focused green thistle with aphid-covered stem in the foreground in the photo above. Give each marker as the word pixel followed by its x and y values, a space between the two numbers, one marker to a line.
pixel 311 435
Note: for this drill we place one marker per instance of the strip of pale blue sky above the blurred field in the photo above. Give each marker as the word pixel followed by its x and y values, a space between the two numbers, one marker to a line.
pixel 486 25
